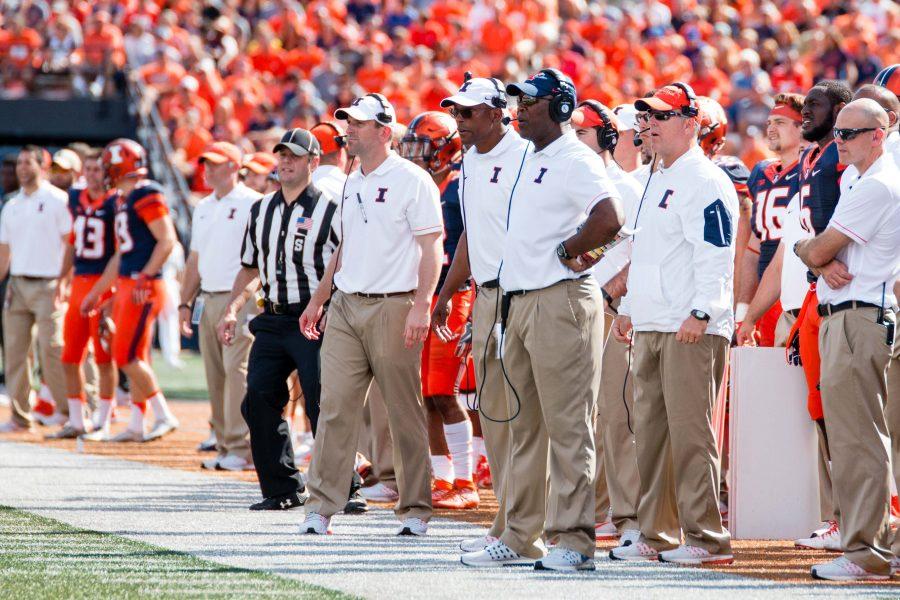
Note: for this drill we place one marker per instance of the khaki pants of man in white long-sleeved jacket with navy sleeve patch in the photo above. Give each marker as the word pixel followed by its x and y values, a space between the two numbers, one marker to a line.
pixel 675 386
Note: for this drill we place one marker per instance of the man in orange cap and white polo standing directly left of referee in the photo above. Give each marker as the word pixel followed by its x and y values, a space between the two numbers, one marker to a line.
pixel 214 261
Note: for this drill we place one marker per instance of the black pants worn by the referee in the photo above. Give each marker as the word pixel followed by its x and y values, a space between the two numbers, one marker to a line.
pixel 278 349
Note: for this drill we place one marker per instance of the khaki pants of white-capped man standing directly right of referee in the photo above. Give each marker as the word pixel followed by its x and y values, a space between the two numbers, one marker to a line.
pixel 364 339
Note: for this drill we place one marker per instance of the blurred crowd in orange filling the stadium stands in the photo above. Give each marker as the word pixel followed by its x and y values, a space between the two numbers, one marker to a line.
pixel 243 71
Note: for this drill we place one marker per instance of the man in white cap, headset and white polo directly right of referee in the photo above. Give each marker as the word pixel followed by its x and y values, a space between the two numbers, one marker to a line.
pixel 386 270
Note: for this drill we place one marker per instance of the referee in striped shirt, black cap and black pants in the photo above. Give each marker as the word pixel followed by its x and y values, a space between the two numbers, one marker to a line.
pixel 290 237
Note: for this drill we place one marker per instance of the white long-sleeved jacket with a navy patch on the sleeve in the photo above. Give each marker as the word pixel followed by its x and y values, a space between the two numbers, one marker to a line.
pixel 682 257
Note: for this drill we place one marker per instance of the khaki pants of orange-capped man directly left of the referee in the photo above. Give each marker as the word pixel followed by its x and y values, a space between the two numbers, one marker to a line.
pixel 226 374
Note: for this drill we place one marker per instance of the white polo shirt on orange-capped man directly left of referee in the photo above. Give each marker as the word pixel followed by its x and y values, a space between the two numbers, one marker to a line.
pixel 216 230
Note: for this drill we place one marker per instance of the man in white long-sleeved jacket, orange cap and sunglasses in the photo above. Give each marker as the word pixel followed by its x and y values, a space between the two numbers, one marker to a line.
pixel 679 305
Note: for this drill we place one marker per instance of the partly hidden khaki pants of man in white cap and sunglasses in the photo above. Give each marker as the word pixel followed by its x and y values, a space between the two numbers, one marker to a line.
pixel 494 406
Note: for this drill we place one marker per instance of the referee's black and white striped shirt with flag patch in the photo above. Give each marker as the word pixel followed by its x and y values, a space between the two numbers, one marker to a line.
pixel 290 245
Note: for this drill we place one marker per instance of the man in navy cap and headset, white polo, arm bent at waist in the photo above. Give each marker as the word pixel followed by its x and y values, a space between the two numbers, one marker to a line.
pixel 563 206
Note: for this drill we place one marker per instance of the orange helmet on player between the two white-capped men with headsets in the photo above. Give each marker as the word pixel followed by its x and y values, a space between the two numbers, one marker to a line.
pixel 432 138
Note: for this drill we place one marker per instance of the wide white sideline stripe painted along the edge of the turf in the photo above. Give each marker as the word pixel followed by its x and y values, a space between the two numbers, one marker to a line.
pixel 207 516
